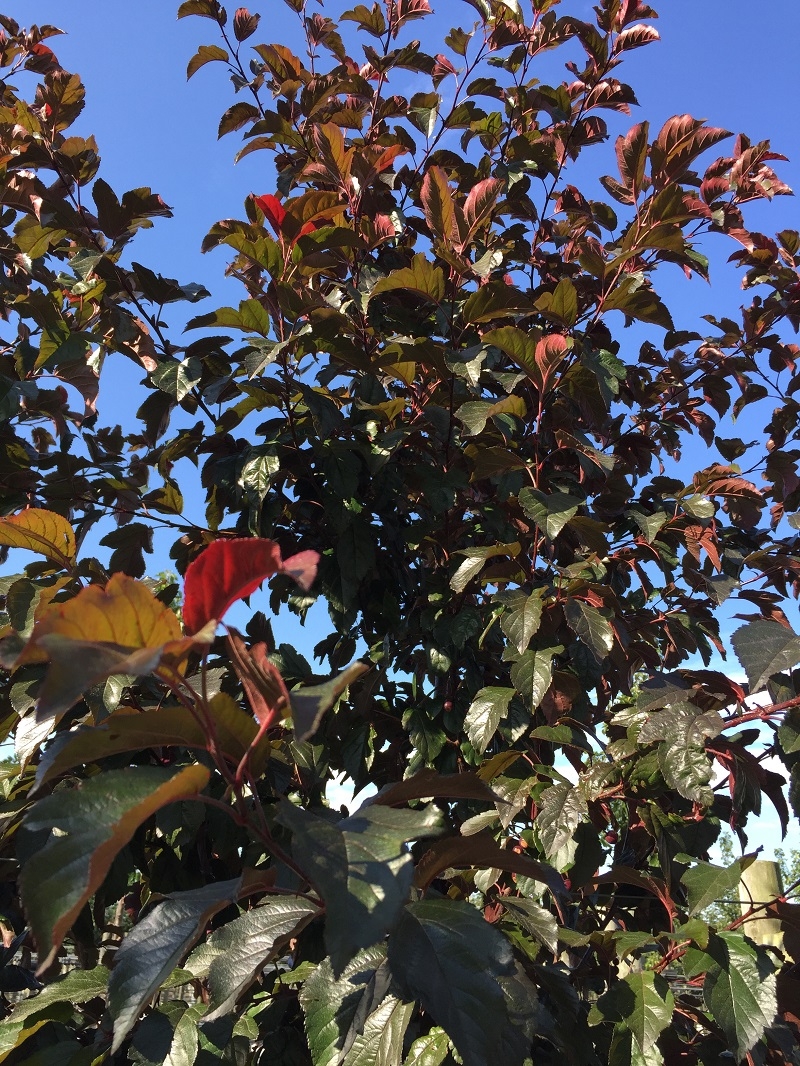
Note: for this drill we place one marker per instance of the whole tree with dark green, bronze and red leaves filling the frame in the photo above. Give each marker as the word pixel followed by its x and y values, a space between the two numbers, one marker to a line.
pixel 461 454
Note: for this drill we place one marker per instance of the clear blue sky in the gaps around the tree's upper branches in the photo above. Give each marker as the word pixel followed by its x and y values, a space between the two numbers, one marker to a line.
pixel 731 62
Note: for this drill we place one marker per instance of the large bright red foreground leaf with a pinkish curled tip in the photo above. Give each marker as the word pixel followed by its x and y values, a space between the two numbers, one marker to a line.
pixel 229 571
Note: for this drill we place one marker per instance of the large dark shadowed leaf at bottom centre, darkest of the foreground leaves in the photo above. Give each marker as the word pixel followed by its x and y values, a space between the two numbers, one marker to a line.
pixel 449 958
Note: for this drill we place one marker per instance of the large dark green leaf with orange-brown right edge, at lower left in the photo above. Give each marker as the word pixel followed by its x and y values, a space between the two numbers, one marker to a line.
pixel 88 827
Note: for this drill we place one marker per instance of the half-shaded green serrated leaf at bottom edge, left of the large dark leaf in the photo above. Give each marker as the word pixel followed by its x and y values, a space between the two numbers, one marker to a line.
pixel 331 1005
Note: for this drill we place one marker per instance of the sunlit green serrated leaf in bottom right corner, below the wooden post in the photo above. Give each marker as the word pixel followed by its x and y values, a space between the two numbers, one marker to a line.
pixel 741 992
